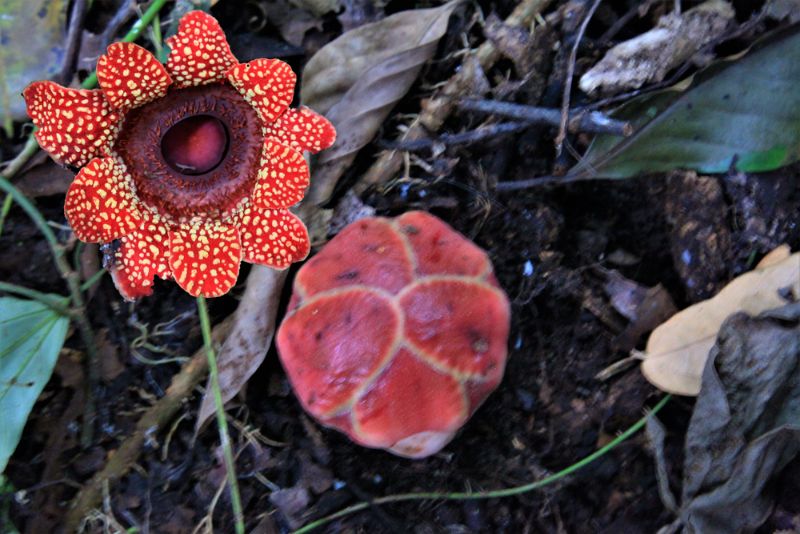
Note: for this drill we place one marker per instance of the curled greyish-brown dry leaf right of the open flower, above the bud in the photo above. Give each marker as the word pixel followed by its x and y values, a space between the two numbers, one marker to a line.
pixel 357 79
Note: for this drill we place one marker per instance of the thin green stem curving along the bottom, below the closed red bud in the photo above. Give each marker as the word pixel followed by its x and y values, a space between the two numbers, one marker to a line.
pixel 507 492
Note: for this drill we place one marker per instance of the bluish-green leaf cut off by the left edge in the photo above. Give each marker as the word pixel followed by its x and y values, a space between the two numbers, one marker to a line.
pixel 31 336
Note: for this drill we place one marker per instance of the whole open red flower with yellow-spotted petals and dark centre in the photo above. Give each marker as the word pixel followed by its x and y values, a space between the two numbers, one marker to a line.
pixel 188 168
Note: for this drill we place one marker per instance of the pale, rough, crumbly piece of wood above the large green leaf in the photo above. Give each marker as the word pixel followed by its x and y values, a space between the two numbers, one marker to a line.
pixel 648 58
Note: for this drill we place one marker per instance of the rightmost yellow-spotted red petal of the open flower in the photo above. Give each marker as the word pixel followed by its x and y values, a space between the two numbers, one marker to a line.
pixel 303 129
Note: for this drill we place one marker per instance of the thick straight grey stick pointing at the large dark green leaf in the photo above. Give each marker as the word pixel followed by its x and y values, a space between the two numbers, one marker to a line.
pixel 580 121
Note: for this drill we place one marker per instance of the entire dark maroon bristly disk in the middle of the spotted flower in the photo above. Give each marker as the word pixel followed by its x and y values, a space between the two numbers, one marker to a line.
pixel 193 153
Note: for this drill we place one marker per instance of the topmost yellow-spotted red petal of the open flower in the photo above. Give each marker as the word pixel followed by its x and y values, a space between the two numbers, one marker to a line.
pixel 199 51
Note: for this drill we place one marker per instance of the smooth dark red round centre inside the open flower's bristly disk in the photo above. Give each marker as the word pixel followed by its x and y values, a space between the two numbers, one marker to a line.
pixel 195 145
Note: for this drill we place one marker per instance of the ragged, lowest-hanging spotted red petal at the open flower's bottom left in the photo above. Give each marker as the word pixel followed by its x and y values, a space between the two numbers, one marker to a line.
pixel 142 255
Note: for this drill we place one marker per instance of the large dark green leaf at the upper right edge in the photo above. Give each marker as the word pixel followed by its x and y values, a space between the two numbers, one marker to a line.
pixel 743 112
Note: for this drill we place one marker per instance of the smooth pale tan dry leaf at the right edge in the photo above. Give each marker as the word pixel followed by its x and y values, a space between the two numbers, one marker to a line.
pixel 678 349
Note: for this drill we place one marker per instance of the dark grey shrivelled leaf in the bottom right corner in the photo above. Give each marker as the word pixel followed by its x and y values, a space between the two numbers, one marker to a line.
pixel 745 426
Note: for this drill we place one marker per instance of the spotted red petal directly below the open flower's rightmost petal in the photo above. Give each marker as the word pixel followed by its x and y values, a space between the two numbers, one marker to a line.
pixel 282 178
